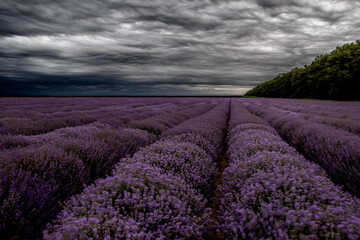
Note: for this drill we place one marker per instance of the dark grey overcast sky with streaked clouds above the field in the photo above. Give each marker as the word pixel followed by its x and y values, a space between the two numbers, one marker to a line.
pixel 163 47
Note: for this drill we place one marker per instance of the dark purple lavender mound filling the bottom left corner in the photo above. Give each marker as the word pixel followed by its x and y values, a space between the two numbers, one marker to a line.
pixel 32 182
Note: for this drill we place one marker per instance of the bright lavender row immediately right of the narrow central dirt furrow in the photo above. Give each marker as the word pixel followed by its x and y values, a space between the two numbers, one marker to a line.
pixel 269 191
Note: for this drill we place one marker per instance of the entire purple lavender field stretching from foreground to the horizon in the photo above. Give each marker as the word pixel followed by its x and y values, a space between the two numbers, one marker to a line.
pixel 179 168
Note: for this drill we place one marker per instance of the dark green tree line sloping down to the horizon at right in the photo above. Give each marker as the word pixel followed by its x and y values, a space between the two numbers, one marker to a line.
pixel 334 76
